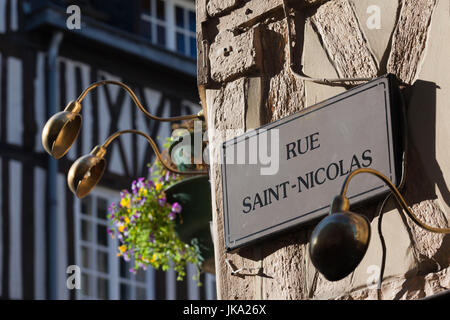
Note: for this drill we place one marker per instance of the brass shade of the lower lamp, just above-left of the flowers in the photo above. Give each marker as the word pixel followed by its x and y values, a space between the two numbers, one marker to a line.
pixel 86 172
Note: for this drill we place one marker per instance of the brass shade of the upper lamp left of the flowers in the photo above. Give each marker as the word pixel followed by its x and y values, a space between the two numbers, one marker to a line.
pixel 61 131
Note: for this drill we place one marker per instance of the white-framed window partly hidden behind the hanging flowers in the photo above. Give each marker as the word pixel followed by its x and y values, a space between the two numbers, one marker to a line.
pixel 103 275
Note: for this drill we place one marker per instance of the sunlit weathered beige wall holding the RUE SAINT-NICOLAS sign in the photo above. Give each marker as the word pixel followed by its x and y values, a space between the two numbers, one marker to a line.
pixel 245 81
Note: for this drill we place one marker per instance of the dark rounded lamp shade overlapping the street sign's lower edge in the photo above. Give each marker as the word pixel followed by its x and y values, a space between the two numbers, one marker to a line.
pixel 339 243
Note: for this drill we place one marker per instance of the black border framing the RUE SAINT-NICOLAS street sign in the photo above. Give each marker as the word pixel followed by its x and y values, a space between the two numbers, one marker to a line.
pixel 387 92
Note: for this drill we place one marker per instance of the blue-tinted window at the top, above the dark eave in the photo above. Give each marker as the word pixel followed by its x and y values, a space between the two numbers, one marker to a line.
pixel 171 24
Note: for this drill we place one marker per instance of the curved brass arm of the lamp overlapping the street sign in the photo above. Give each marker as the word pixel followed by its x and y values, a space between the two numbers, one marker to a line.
pixel 397 195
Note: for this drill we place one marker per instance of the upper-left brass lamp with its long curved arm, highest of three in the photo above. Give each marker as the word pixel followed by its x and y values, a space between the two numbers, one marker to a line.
pixel 61 130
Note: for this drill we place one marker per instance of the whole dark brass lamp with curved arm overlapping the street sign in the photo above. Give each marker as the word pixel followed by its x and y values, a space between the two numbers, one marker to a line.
pixel 340 241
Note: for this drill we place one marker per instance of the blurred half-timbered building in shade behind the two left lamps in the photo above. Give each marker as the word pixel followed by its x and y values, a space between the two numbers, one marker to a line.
pixel 148 44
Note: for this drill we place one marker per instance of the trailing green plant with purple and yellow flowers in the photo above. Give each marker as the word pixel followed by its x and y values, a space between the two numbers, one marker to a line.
pixel 144 224
